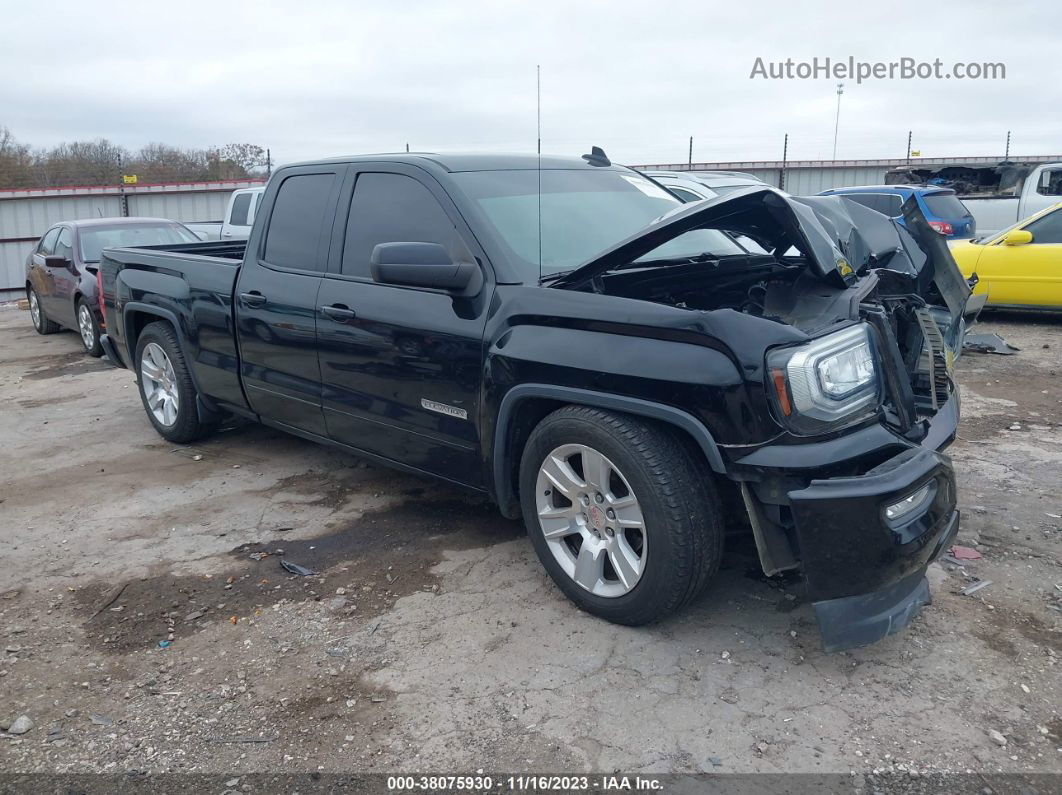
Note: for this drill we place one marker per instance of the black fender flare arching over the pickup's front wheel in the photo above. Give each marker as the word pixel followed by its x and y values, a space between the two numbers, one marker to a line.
pixel 677 418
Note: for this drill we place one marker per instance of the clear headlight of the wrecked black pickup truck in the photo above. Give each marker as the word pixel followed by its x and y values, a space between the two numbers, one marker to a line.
pixel 827 384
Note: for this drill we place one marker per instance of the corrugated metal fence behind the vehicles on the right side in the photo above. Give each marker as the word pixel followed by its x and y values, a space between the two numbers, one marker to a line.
pixel 808 178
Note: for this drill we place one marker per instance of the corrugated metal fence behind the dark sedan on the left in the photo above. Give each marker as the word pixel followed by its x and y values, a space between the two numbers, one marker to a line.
pixel 27 214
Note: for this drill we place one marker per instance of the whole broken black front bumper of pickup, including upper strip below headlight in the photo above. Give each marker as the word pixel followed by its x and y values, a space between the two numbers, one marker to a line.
pixel 865 572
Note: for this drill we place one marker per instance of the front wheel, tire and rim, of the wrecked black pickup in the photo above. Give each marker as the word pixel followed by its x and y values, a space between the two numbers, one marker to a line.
pixel 622 515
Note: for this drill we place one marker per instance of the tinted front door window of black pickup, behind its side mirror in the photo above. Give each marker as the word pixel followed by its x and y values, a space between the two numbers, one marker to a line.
pixel 392 209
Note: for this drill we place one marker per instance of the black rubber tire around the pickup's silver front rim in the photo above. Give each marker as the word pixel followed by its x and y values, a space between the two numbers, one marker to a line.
pixel 682 512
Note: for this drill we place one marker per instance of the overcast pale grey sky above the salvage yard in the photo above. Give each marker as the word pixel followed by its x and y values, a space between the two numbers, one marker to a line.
pixel 315 79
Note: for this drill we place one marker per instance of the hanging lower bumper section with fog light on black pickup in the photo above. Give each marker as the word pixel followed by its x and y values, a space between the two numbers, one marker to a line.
pixel 866 543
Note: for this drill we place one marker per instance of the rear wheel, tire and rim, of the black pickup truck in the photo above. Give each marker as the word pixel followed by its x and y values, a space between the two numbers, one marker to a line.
pixel 166 386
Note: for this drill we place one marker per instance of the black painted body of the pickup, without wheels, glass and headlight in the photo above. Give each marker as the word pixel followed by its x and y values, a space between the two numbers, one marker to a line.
pixel 348 361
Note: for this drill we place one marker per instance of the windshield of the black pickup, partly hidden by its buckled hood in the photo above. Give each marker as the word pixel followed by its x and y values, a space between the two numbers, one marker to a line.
pixel 584 214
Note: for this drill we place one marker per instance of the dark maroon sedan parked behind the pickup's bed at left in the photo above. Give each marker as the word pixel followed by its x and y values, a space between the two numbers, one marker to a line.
pixel 61 272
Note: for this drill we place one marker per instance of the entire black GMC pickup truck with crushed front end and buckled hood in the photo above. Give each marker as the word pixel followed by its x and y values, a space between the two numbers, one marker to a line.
pixel 633 375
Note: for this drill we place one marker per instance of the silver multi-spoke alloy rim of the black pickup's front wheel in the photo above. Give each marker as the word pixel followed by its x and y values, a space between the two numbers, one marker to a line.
pixel 592 521
